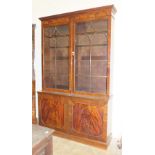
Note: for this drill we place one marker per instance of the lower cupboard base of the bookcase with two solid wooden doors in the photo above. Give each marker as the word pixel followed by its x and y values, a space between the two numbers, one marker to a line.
pixel 83 119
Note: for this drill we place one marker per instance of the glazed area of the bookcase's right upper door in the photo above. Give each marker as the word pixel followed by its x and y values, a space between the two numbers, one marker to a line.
pixel 91 44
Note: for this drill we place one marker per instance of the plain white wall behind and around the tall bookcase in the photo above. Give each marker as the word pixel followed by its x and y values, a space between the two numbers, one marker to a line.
pixel 42 8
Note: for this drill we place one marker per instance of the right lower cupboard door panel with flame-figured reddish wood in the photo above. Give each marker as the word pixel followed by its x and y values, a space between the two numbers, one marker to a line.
pixel 88 120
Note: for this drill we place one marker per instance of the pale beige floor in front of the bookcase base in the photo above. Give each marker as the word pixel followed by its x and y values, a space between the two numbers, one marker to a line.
pixel 63 146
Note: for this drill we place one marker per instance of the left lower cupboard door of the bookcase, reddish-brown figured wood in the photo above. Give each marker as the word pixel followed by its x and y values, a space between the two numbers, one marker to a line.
pixel 51 111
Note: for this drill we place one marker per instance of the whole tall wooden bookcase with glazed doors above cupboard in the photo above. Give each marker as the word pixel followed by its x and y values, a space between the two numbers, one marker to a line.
pixel 75 99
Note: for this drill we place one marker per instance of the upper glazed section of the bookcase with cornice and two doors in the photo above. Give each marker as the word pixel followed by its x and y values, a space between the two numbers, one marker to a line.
pixel 76 51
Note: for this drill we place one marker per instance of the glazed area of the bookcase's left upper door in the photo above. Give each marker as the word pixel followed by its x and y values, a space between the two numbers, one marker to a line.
pixel 56 62
